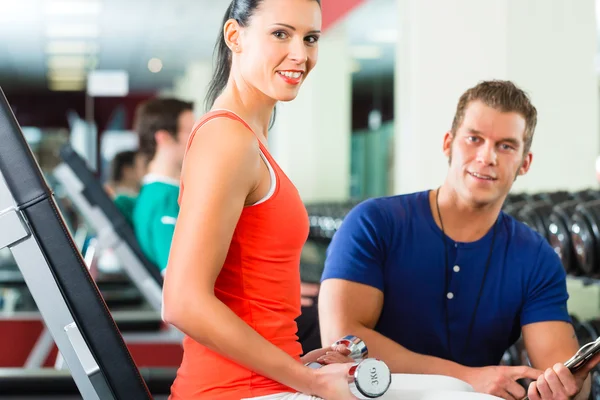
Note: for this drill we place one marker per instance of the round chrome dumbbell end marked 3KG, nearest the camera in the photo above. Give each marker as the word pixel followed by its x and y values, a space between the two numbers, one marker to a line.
pixel 368 379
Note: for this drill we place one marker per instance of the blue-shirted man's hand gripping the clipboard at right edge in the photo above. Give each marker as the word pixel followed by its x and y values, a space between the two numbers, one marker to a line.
pixel 558 383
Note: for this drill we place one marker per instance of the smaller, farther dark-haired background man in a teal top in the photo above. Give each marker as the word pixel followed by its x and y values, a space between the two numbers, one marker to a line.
pixel 126 173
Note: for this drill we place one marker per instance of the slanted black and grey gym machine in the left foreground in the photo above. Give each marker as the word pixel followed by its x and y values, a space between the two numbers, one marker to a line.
pixel 32 227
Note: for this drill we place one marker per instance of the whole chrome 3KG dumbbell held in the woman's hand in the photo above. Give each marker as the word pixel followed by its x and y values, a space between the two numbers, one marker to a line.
pixel 369 378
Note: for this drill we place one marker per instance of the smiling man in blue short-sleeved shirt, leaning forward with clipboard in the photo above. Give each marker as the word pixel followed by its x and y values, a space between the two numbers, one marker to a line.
pixel 442 282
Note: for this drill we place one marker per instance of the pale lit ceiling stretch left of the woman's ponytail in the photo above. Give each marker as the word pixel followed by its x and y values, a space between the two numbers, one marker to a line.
pixel 130 32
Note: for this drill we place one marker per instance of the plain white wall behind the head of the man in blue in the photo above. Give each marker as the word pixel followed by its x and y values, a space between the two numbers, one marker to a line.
pixel 547 47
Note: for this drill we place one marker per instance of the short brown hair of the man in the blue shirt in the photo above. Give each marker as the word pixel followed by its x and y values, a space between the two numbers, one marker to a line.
pixel 503 96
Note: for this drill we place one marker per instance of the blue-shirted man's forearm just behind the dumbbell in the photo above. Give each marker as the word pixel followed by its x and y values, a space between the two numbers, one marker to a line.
pixel 401 360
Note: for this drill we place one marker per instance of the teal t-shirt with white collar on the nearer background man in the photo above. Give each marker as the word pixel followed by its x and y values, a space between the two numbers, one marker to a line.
pixel 154 218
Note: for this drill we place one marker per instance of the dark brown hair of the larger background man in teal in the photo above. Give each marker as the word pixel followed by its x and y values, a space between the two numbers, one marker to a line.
pixel 154 115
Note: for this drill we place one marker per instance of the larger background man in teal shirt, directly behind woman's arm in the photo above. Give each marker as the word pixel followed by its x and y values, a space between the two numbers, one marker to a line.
pixel 163 126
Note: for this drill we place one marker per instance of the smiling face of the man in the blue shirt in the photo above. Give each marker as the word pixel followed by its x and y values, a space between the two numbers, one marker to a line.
pixel 486 154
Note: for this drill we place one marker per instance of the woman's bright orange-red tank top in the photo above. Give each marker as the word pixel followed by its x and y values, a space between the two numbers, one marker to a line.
pixel 260 282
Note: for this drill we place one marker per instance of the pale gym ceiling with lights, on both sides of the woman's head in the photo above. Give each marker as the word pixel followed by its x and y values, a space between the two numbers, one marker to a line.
pixel 131 32
